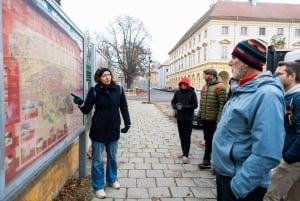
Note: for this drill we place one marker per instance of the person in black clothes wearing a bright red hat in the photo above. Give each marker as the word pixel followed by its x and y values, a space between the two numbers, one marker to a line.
pixel 184 102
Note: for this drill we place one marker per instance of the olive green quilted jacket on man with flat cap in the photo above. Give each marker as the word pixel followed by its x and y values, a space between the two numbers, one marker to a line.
pixel 212 101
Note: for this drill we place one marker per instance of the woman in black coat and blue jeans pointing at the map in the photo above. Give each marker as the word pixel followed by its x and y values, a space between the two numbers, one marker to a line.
pixel 109 99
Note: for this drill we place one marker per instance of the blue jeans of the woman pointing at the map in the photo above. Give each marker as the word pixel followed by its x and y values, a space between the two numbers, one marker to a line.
pixel 98 163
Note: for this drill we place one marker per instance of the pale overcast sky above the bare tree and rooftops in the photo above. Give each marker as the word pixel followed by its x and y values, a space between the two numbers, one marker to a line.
pixel 165 20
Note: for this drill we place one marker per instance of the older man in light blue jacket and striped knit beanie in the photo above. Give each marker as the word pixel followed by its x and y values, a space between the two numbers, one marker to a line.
pixel 248 140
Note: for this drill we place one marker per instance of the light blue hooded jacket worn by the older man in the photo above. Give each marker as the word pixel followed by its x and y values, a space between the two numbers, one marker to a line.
pixel 249 138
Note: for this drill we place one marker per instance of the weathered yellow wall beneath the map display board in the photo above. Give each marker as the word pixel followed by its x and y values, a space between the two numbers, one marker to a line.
pixel 49 183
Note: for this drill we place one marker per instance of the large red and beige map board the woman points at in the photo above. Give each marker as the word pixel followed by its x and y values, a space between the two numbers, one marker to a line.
pixel 43 64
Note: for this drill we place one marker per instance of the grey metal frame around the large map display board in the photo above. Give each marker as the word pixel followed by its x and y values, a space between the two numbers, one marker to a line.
pixel 7 190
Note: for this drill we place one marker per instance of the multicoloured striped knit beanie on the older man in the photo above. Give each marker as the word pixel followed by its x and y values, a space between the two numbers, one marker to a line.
pixel 251 52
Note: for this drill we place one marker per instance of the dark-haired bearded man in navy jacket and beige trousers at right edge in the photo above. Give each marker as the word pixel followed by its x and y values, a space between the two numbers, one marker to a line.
pixel 288 171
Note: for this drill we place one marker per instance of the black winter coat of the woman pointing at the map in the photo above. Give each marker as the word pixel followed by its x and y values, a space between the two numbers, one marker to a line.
pixel 109 101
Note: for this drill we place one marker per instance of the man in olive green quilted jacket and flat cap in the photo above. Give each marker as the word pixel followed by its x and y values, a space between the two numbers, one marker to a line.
pixel 213 96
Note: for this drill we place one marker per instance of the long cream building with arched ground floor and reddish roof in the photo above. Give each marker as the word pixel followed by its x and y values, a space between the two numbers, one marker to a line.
pixel 210 41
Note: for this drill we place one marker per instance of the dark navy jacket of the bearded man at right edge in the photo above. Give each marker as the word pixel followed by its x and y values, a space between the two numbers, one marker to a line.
pixel 291 150
